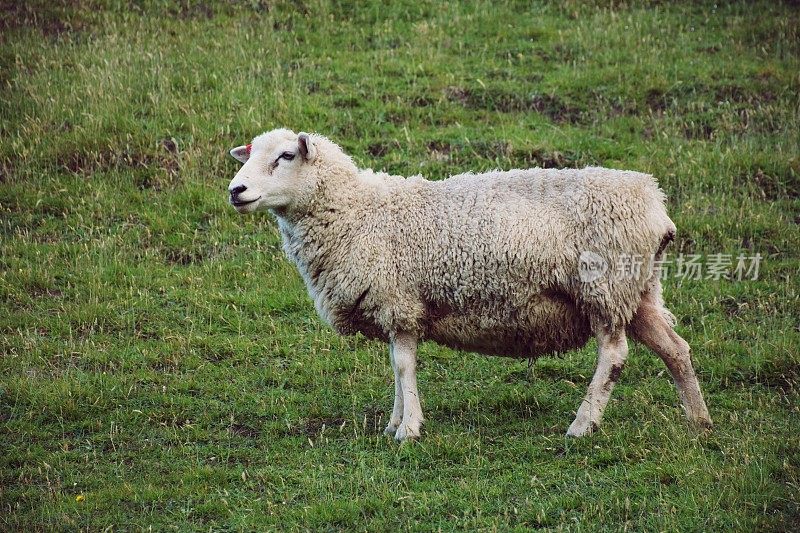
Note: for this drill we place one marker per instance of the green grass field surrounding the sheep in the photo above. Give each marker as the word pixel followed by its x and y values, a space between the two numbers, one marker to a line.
pixel 162 366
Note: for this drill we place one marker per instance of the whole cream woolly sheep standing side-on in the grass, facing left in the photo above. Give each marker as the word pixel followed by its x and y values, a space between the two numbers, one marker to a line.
pixel 522 263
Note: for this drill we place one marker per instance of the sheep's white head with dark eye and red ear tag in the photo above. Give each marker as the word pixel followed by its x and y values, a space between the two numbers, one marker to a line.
pixel 275 173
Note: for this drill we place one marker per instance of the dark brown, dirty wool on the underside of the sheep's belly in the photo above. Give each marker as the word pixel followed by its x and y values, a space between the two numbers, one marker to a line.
pixel 545 326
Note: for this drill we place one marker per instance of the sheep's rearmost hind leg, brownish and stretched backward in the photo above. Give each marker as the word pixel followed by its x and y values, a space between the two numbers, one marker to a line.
pixel 650 327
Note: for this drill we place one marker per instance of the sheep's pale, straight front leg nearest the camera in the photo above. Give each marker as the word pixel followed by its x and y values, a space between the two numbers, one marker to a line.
pixel 404 357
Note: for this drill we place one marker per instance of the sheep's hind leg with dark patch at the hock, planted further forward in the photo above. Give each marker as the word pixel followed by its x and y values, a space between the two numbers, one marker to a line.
pixel 612 350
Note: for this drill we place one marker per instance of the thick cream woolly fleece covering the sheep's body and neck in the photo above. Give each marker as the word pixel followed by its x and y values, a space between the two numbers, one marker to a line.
pixel 484 262
